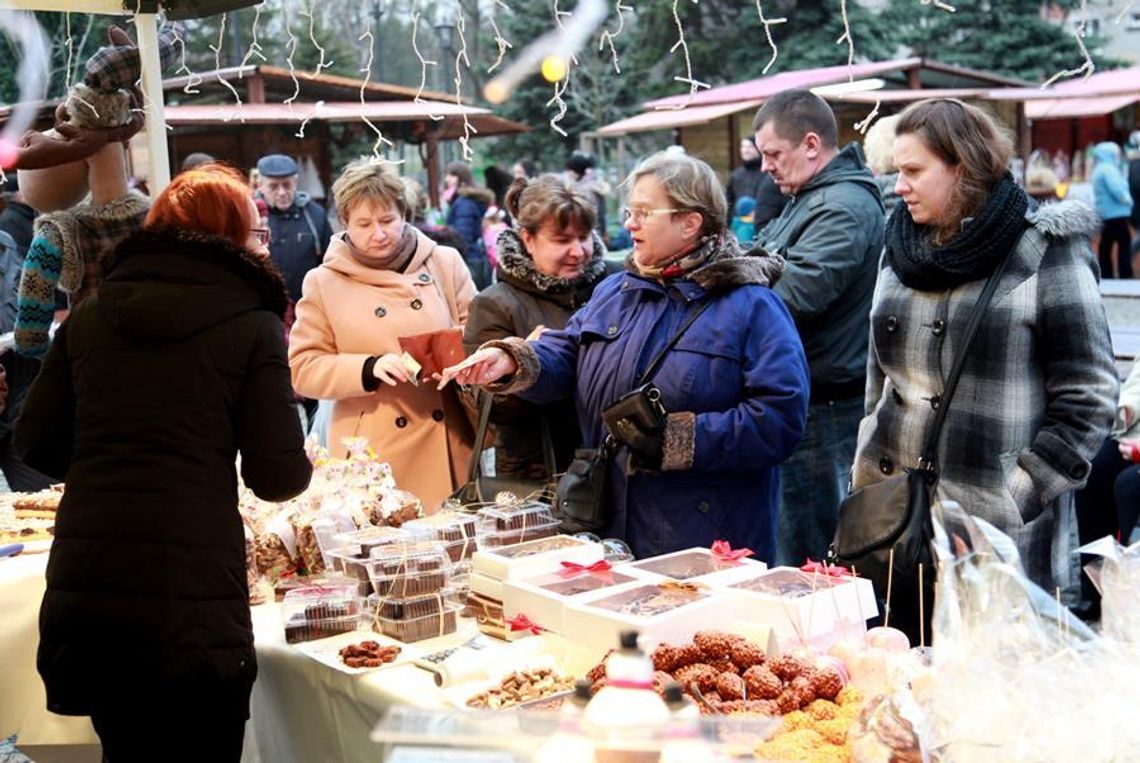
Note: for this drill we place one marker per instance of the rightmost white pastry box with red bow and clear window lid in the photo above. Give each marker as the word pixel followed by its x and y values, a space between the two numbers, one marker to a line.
pixel 805 607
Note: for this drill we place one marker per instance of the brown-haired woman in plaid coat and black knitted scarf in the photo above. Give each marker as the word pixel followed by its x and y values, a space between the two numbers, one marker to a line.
pixel 1038 392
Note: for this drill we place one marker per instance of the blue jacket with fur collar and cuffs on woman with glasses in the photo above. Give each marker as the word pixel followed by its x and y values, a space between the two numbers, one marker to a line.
pixel 736 385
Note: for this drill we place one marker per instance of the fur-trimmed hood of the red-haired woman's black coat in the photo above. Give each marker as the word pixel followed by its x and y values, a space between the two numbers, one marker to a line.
pixel 169 283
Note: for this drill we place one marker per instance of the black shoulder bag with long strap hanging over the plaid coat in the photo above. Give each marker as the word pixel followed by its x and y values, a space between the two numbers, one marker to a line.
pixel 895 514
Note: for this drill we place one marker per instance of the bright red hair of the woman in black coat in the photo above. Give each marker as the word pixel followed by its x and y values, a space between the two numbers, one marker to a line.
pixel 211 198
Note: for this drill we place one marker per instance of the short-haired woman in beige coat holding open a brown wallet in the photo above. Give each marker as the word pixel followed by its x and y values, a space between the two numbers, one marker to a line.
pixel 381 280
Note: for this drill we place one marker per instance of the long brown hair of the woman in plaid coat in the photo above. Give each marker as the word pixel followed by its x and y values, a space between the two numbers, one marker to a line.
pixel 964 137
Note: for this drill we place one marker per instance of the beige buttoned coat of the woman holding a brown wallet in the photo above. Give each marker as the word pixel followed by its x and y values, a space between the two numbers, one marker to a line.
pixel 348 313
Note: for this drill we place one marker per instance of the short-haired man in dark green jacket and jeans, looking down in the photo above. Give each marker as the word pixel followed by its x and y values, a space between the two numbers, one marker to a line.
pixel 832 234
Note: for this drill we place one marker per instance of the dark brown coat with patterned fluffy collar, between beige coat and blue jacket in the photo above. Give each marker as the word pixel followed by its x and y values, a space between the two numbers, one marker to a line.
pixel 522 301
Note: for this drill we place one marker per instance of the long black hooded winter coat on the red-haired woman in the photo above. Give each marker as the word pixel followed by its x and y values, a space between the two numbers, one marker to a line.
pixel 148 395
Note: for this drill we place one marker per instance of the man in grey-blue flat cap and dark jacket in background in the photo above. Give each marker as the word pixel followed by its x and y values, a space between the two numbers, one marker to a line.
pixel 299 230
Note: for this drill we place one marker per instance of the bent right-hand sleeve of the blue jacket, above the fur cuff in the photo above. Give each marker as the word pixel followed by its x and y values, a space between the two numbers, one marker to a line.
pixel 764 428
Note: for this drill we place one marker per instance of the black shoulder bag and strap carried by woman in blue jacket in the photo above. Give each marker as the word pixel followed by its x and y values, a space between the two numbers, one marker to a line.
pixel 581 499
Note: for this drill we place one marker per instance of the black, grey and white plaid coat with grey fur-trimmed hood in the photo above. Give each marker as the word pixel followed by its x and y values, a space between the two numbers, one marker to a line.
pixel 1038 392
